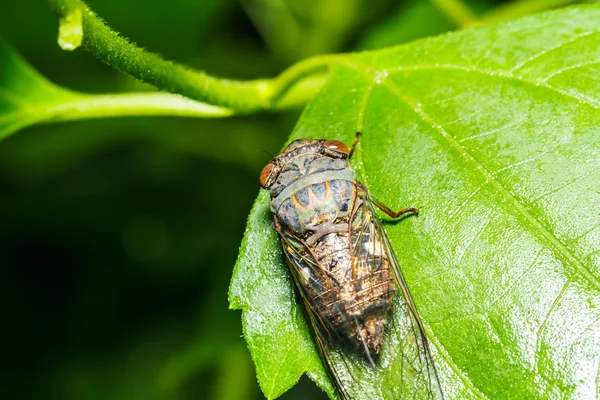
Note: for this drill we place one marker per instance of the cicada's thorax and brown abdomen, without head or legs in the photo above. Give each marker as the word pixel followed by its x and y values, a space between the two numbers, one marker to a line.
pixel 317 206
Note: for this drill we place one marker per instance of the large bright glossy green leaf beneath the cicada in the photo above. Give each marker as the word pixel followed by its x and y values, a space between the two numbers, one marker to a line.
pixel 493 133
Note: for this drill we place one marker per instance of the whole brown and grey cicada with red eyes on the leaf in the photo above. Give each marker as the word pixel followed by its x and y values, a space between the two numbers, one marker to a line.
pixel 364 322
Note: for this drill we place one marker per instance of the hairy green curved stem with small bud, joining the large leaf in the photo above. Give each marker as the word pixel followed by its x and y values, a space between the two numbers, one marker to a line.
pixel 238 96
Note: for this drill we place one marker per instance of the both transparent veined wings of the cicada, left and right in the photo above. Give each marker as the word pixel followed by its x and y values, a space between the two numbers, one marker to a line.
pixel 398 363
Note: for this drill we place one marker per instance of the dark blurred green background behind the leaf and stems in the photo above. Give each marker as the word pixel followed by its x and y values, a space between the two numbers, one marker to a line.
pixel 118 237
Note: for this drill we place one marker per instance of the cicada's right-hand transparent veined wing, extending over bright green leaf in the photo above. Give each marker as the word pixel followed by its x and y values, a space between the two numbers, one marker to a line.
pixel 406 363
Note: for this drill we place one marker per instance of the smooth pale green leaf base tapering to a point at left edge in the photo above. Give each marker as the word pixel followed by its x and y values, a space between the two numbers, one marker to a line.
pixel 27 98
